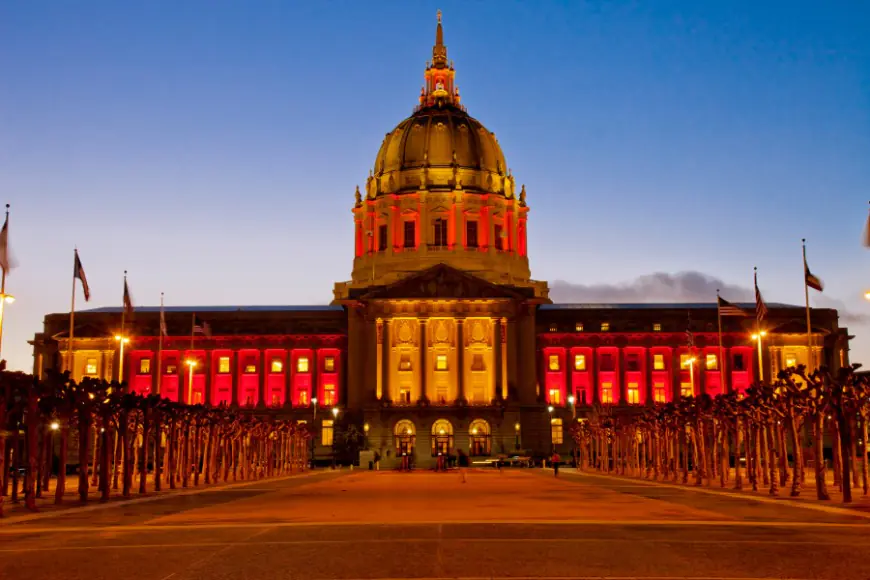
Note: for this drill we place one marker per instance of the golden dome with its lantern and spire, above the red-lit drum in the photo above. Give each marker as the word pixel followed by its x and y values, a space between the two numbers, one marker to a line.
pixel 440 146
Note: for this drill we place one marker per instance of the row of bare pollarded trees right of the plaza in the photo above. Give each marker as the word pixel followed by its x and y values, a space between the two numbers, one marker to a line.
pixel 767 437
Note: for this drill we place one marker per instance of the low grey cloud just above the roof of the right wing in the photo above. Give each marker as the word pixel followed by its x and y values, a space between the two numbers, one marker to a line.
pixel 657 287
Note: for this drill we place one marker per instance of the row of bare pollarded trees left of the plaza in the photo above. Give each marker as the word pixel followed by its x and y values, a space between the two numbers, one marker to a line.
pixel 124 440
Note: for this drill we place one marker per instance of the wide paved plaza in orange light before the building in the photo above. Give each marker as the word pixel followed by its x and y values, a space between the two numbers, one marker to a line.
pixel 518 524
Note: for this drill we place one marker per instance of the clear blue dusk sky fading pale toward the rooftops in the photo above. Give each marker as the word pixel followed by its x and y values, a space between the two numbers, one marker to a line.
pixel 212 147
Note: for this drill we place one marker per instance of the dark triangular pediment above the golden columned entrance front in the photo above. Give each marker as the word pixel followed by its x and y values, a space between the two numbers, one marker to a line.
pixel 441 282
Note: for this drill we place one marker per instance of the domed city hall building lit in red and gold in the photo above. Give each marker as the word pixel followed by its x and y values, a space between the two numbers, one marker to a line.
pixel 441 340
